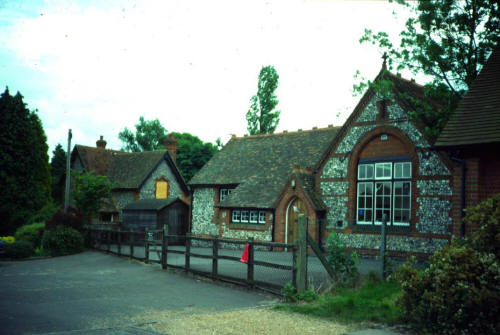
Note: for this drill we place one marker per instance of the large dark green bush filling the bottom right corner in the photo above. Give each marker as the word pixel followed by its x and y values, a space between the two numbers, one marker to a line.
pixel 459 291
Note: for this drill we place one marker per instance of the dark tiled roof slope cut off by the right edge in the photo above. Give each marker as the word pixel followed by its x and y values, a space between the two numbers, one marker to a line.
pixel 477 117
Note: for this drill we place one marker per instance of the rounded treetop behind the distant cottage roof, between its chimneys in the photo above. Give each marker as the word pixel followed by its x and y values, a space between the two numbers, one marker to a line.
pixel 149 135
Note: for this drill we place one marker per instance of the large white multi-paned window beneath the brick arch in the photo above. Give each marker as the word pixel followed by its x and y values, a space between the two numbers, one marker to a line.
pixel 387 190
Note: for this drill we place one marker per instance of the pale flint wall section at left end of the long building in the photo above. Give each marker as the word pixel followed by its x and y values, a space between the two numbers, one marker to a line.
pixel 203 212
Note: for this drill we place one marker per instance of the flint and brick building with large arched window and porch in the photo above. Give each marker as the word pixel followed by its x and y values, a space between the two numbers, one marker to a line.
pixel 345 179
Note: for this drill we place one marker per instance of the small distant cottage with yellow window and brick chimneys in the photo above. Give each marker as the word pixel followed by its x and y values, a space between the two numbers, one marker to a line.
pixel 134 175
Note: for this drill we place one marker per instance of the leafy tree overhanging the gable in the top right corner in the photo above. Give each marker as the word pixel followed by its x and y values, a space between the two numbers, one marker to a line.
pixel 447 40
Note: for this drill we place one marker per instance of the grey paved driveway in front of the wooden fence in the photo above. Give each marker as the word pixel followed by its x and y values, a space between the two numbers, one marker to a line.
pixel 93 290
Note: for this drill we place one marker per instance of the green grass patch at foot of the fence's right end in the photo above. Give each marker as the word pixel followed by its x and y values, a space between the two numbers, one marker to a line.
pixel 373 301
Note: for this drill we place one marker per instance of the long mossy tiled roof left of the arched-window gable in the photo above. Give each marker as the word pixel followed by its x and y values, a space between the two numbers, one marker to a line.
pixel 261 165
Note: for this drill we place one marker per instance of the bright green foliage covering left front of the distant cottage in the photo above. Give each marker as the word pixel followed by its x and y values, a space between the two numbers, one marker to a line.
pixel 89 190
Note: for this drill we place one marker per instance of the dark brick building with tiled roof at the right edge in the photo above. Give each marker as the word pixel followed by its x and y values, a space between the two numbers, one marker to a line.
pixel 472 138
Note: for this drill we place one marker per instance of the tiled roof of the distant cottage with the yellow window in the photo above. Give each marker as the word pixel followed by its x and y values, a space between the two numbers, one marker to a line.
pixel 125 170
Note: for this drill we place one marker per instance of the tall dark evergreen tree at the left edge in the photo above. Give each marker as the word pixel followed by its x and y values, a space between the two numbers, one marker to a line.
pixel 25 174
